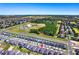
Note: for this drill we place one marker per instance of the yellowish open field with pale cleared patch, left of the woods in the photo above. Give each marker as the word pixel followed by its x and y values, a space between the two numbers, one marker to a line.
pixel 22 28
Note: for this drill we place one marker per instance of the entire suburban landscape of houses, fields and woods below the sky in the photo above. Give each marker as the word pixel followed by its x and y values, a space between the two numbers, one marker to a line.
pixel 39 35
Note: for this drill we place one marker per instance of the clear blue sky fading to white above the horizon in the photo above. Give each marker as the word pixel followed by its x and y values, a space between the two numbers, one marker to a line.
pixel 39 9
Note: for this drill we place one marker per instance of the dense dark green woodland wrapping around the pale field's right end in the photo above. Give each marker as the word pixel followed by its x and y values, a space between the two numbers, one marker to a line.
pixel 49 29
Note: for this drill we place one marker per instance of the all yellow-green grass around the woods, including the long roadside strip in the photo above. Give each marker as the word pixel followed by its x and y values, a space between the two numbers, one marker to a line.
pixel 16 29
